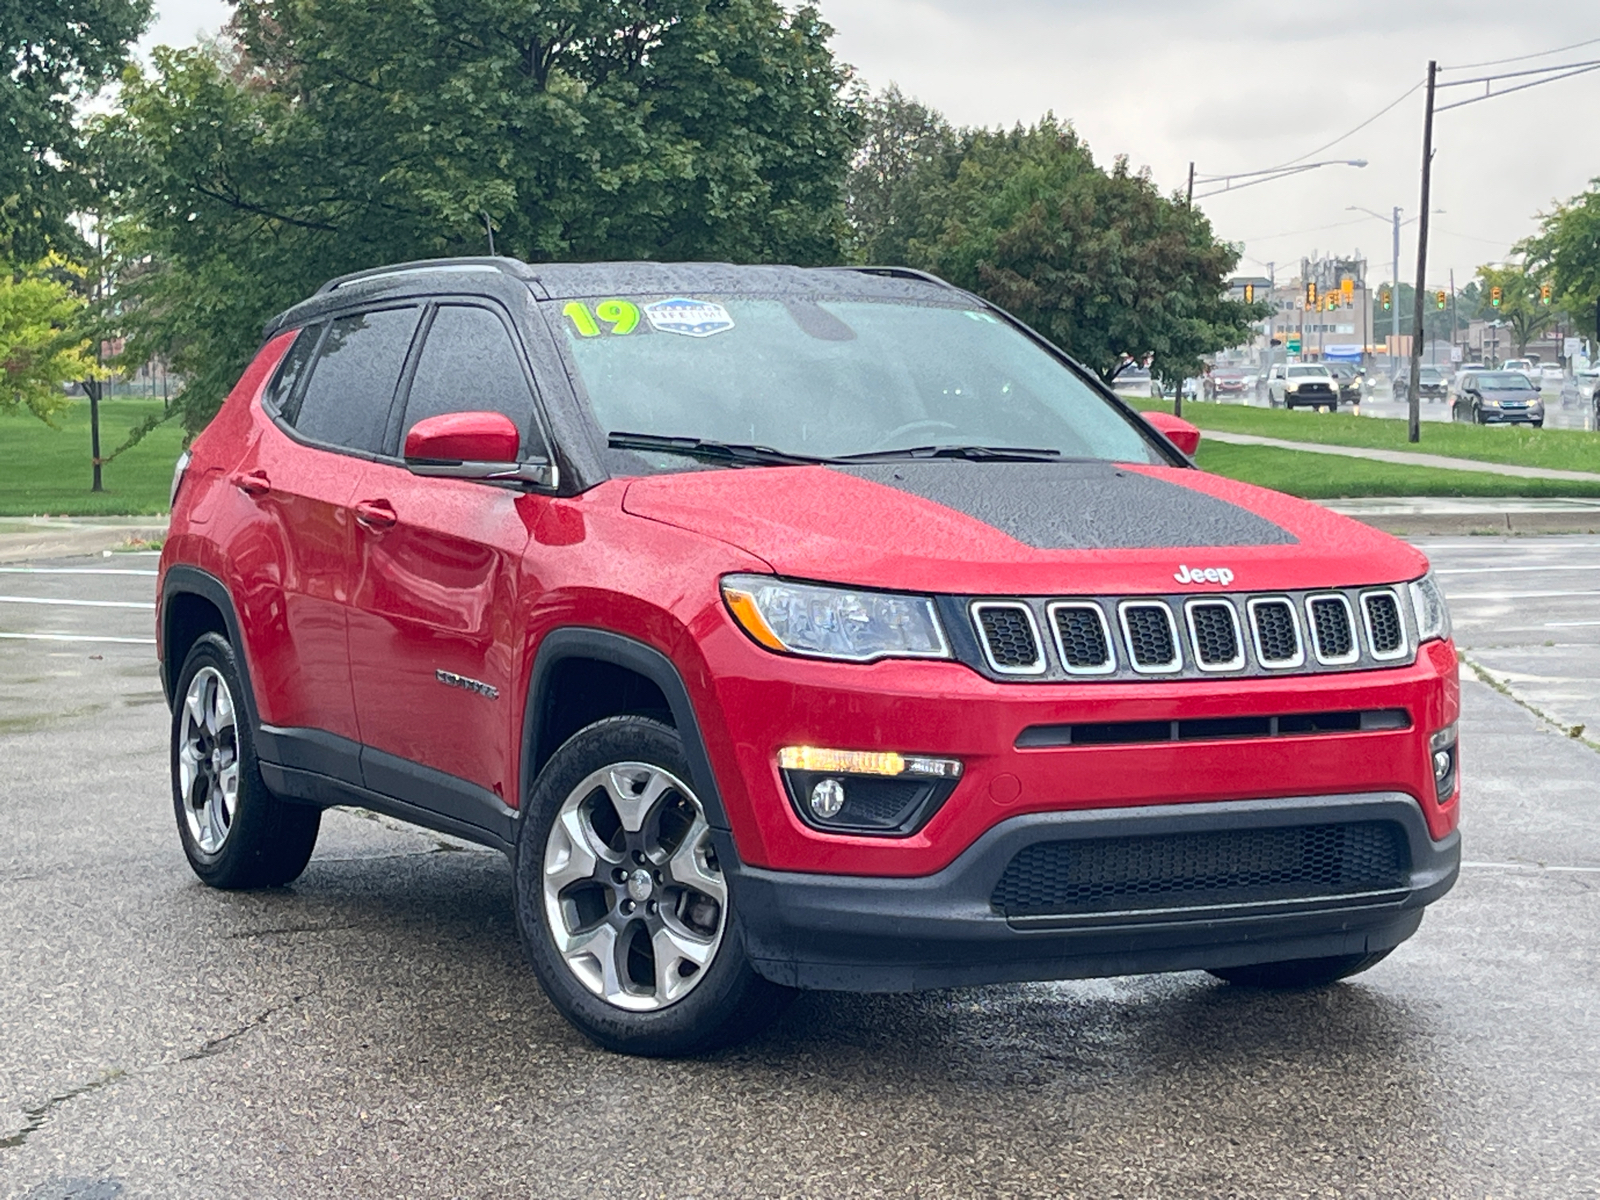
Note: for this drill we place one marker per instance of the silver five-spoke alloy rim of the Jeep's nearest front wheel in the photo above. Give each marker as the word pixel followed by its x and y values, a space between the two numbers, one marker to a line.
pixel 634 897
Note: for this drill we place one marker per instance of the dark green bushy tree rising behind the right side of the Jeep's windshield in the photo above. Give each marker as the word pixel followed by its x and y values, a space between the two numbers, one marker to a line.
pixel 1100 262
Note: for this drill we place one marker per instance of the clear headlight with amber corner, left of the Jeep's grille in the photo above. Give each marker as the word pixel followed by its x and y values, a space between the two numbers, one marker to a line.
pixel 834 622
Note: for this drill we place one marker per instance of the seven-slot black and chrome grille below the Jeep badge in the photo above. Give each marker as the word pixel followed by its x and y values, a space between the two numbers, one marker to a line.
pixel 1188 636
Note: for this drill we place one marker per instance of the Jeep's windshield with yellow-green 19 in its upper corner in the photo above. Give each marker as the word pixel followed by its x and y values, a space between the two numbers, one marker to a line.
pixel 833 378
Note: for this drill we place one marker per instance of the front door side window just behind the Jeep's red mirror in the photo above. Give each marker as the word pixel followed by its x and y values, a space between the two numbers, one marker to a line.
pixel 471 366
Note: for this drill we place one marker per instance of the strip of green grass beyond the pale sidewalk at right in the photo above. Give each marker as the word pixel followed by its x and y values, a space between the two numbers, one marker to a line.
pixel 1559 449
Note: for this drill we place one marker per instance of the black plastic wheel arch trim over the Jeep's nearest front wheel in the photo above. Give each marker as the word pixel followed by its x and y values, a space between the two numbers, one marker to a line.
pixel 623 652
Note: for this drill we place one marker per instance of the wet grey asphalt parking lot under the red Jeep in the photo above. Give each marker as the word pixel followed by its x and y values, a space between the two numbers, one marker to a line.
pixel 374 1031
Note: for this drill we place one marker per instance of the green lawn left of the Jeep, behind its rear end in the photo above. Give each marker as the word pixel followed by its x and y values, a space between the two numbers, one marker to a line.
pixel 47 473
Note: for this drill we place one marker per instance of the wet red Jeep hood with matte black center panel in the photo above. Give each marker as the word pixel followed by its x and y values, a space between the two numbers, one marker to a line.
pixel 1023 529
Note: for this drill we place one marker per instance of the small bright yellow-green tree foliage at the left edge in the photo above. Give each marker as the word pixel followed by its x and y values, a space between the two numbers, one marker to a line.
pixel 42 338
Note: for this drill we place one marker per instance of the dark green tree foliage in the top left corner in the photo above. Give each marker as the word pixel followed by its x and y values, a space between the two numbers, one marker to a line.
pixel 57 54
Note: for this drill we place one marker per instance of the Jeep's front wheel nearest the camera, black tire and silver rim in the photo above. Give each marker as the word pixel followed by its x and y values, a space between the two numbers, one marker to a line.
pixel 623 905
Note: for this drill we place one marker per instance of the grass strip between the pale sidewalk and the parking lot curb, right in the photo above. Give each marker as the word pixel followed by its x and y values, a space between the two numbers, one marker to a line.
pixel 1303 473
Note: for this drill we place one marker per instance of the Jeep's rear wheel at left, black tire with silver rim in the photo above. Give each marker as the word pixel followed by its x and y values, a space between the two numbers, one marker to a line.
pixel 236 834
